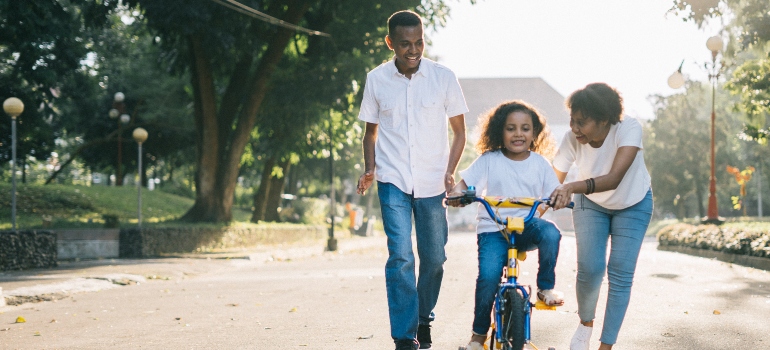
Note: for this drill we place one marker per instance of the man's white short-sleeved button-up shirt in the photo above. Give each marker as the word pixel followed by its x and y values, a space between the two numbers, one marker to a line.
pixel 412 147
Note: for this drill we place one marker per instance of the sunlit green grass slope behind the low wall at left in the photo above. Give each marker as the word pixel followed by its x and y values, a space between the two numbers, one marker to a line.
pixel 70 206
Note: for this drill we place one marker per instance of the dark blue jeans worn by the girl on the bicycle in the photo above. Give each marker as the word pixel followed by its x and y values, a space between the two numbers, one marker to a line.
pixel 493 257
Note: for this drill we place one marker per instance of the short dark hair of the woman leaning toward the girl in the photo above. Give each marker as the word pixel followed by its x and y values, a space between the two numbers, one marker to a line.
pixel 597 101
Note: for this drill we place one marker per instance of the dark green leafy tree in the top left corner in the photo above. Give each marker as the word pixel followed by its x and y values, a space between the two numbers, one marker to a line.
pixel 41 46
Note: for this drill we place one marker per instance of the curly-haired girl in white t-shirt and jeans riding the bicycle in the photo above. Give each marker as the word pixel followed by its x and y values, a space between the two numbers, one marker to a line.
pixel 512 145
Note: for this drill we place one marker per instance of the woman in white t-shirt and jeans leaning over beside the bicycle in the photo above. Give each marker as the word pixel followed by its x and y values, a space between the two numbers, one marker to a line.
pixel 613 201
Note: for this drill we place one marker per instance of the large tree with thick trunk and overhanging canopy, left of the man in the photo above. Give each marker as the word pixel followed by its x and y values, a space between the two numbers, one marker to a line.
pixel 231 59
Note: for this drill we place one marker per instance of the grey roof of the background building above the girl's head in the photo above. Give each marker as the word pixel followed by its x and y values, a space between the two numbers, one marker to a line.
pixel 484 94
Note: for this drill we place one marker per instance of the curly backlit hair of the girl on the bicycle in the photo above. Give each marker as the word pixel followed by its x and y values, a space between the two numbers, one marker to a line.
pixel 493 126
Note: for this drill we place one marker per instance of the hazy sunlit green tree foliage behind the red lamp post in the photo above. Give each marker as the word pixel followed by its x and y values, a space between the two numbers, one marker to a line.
pixel 677 151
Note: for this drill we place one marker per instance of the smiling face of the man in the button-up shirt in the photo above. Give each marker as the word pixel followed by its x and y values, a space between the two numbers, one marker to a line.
pixel 407 43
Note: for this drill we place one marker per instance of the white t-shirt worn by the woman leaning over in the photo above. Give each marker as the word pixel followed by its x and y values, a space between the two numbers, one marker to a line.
pixel 593 162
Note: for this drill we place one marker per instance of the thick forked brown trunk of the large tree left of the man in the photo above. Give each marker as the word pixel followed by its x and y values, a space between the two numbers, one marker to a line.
pixel 219 156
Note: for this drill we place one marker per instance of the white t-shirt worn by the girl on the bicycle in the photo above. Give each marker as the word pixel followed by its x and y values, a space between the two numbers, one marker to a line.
pixel 493 174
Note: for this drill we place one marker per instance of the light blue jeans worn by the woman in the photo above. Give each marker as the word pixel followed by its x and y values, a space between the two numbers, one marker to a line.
pixel 625 228
